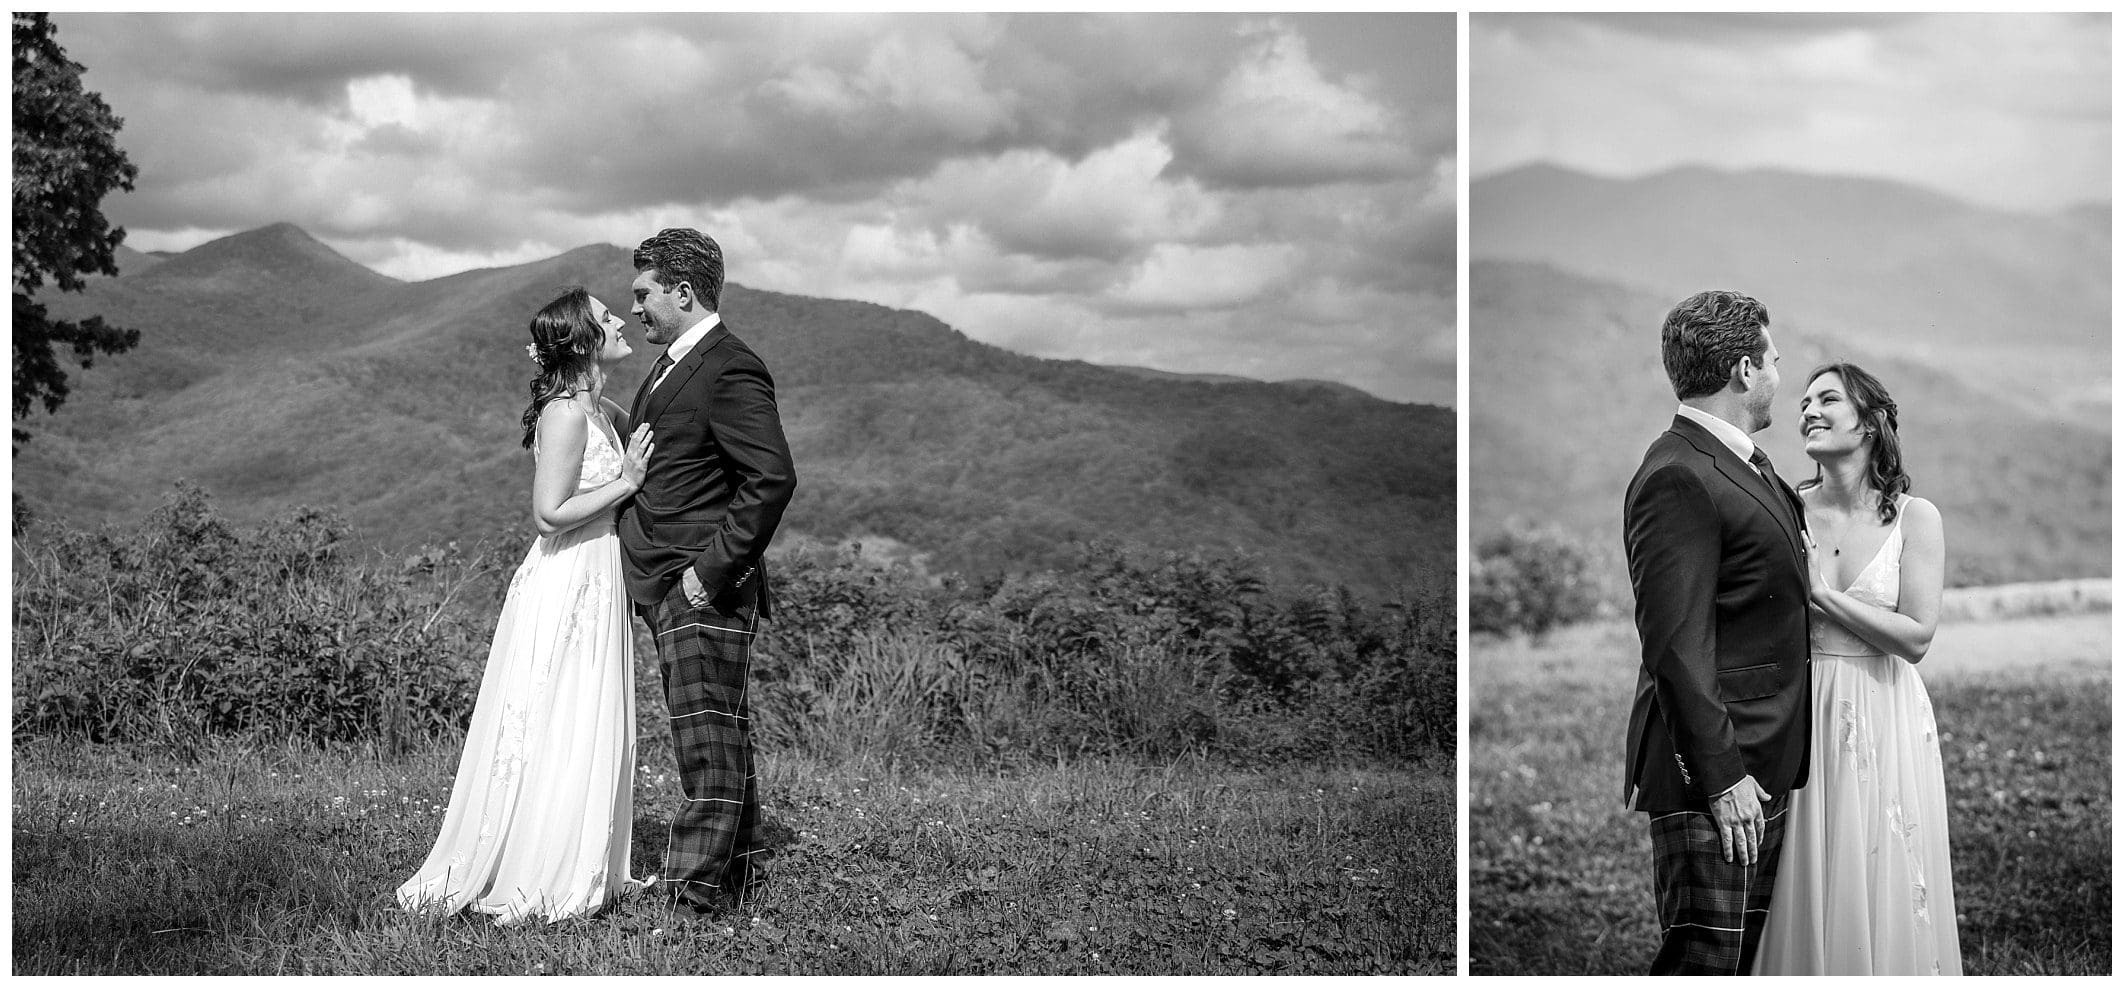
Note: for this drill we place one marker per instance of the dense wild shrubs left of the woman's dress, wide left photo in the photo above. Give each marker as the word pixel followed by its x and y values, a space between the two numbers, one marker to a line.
pixel 188 628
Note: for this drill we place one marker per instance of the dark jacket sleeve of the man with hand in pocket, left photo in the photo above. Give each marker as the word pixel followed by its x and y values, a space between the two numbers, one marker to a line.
pixel 749 430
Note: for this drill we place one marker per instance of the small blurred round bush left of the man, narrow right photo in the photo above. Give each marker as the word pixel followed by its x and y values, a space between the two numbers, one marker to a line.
pixel 1530 579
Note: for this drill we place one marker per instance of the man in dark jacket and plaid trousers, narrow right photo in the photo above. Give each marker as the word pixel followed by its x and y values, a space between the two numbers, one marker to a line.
pixel 1717 562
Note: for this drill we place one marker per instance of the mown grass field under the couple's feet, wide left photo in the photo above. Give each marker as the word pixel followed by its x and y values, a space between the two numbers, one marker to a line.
pixel 284 862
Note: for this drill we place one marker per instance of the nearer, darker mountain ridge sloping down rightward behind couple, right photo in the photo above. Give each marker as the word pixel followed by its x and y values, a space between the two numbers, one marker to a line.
pixel 1571 392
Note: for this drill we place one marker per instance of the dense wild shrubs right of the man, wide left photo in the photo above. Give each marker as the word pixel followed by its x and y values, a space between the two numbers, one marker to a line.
pixel 1125 653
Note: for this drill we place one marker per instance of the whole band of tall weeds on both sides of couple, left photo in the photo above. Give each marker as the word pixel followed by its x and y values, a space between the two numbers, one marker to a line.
pixel 186 628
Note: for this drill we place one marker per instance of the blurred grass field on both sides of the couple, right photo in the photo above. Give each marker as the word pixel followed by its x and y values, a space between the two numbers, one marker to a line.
pixel 1560 872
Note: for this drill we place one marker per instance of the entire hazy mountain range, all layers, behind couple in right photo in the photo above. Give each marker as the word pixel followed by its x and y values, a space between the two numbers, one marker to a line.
pixel 1991 330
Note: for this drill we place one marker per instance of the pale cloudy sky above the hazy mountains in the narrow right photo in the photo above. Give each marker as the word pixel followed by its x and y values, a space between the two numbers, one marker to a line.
pixel 1998 109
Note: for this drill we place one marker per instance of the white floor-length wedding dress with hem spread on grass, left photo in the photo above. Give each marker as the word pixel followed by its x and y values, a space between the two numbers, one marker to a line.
pixel 541 817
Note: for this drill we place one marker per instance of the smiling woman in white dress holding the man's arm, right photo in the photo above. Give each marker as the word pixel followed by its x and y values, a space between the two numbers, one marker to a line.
pixel 1864 887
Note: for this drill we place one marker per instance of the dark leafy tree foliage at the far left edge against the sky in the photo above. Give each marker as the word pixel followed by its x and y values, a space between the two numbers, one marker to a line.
pixel 67 160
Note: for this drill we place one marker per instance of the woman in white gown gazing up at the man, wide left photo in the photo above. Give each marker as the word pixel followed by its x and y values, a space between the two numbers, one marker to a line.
pixel 541 815
